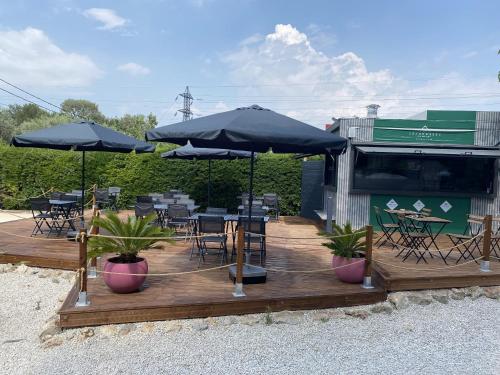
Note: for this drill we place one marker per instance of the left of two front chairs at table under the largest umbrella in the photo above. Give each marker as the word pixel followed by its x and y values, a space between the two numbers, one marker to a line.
pixel 212 231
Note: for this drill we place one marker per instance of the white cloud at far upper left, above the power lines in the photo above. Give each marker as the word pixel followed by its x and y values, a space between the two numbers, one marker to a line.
pixel 28 57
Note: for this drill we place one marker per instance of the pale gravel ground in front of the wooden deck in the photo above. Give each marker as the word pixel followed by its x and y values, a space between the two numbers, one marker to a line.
pixel 459 337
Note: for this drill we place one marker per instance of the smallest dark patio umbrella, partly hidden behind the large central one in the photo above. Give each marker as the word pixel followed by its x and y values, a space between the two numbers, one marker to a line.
pixel 188 152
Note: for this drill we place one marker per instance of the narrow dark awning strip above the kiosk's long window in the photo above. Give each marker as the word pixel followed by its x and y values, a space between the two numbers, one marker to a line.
pixel 429 151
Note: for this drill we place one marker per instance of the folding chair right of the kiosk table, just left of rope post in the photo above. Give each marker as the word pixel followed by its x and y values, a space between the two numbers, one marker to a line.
pixel 473 227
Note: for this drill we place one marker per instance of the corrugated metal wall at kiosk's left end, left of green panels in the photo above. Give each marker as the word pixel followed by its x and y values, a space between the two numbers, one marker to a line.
pixel 352 207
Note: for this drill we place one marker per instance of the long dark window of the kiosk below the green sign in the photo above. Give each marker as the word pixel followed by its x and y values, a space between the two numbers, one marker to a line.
pixel 433 174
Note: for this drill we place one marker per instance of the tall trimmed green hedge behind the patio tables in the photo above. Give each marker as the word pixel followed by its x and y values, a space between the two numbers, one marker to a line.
pixel 27 172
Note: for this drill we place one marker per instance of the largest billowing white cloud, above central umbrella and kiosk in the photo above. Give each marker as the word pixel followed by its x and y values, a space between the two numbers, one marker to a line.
pixel 285 72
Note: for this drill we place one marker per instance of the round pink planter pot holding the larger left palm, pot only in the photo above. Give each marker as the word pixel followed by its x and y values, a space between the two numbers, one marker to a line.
pixel 125 283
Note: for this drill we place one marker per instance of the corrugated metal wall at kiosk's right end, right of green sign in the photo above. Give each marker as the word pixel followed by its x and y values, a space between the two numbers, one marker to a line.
pixel 487 134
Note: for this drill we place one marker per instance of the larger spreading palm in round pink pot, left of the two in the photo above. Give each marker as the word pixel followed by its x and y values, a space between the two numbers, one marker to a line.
pixel 127 271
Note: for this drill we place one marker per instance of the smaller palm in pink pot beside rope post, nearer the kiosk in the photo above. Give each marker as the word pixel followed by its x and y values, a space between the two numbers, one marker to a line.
pixel 348 247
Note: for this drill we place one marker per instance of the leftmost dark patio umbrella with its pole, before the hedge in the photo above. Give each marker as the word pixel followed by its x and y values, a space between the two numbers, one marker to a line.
pixel 81 136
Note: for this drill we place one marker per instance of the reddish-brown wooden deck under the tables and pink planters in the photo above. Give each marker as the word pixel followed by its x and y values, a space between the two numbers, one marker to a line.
pixel 210 293
